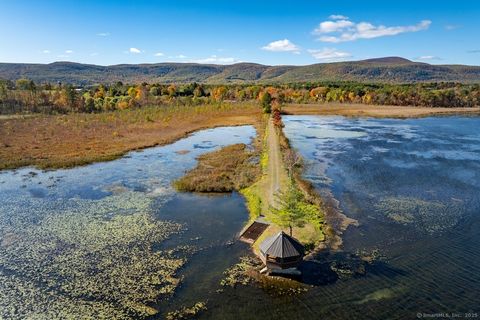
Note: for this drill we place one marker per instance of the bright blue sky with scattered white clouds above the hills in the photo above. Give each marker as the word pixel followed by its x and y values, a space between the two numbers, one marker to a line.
pixel 268 32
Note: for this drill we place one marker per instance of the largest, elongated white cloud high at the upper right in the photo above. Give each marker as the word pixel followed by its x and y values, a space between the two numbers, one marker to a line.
pixel 335 31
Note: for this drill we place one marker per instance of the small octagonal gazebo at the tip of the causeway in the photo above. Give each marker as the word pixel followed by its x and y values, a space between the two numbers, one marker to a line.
pixel 281 252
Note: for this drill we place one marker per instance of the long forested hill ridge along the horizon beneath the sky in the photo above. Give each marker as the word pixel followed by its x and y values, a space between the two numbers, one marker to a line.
pixel 390 69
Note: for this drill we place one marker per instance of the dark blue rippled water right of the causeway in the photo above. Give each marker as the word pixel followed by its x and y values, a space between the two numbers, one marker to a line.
pixel 413 186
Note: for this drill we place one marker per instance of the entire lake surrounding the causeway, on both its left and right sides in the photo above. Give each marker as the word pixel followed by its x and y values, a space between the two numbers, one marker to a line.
pixel 101 239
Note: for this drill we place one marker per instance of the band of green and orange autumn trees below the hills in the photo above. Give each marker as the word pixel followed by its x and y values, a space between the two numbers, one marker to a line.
pixel 24 95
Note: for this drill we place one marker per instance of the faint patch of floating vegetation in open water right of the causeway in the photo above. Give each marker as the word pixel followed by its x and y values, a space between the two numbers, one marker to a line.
pixel 429 216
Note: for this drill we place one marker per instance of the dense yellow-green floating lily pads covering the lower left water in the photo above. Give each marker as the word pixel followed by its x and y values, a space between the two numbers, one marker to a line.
pixel 93 258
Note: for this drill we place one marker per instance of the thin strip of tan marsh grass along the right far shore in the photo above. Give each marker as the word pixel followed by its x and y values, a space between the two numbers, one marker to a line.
pixel 373 111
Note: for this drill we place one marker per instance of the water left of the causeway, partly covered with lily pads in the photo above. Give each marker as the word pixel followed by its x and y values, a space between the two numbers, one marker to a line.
pixel 53 222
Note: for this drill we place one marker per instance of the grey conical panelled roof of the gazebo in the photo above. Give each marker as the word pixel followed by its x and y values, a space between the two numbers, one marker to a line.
pixel 282 246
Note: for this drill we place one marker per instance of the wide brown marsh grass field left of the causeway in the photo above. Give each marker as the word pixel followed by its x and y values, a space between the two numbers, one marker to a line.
pixel 78 139
